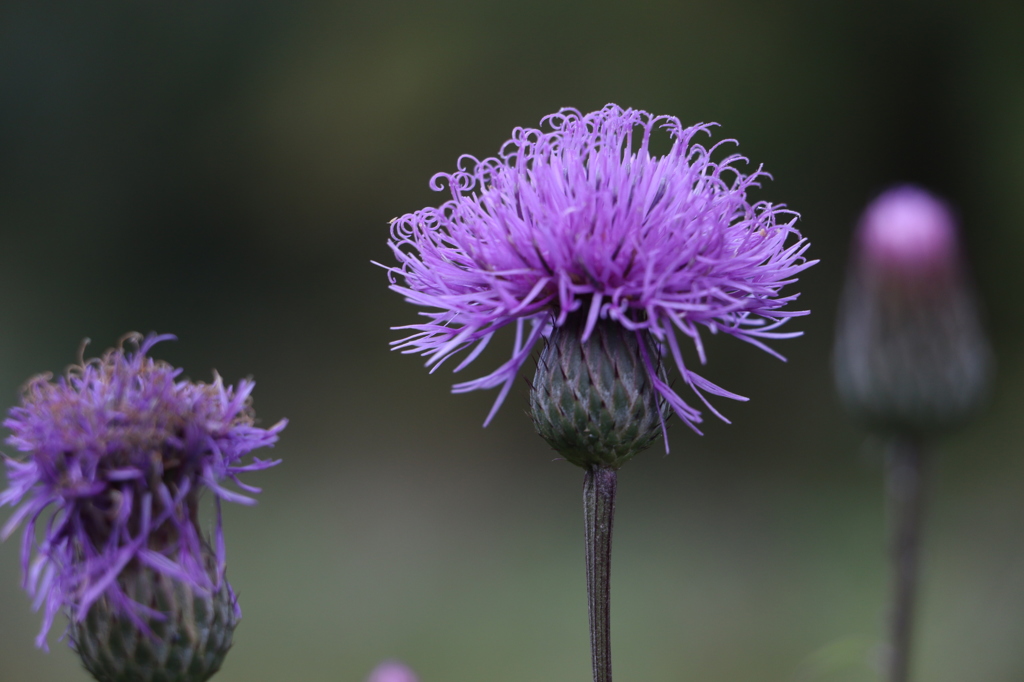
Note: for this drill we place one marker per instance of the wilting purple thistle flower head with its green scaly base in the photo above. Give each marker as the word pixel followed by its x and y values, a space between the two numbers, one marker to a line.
pixel 121 450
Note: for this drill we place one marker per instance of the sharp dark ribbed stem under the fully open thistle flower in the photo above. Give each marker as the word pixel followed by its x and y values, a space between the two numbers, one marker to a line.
pixel 600 511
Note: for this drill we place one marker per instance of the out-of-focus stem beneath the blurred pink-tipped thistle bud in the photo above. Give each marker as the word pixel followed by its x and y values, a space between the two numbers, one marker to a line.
pixel 905 491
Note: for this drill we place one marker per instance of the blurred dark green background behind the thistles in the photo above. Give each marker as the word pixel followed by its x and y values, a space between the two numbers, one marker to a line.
pixel 226 170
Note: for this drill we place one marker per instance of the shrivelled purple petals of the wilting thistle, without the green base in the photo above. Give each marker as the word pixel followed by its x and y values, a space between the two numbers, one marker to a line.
pixel 119 451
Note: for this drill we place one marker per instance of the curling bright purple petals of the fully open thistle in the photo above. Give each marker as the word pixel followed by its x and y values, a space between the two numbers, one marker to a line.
pixel 582 216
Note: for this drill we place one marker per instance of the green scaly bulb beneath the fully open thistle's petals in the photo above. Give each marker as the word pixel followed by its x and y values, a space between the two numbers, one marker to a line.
pixel 592 400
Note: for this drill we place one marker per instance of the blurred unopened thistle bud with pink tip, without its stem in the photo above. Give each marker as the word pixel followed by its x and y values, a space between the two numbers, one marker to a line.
pixel 911 354
